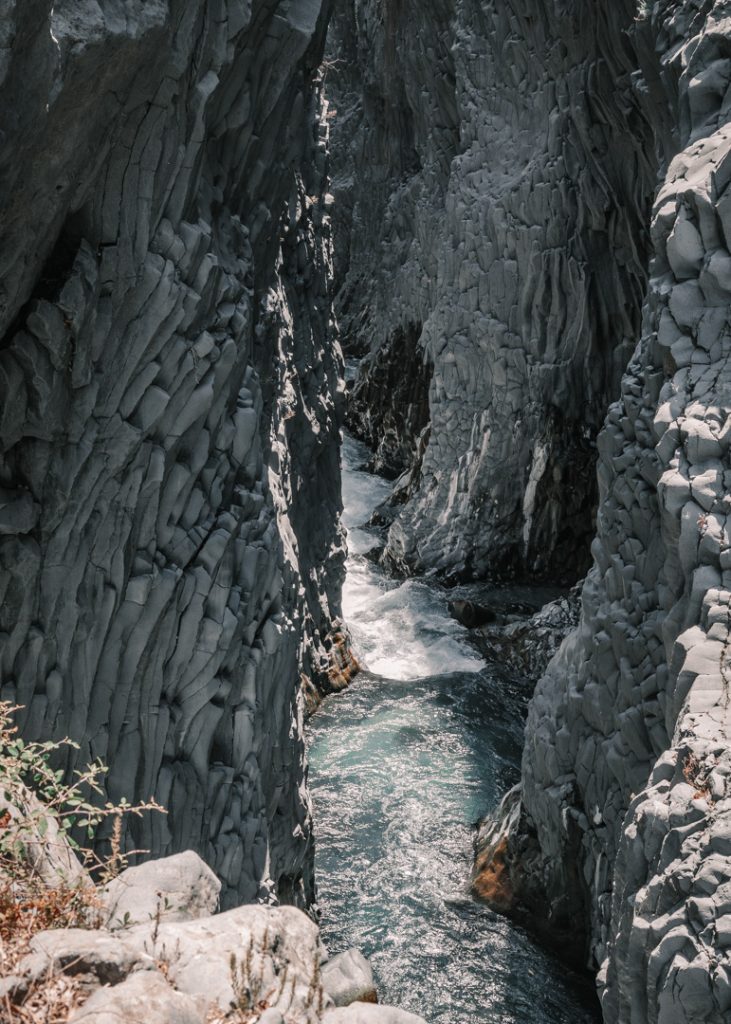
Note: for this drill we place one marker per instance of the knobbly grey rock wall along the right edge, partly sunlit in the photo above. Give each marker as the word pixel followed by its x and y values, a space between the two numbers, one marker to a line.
pixel 626 814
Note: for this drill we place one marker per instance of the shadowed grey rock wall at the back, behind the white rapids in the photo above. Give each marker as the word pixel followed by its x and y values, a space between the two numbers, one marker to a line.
pixel 495 165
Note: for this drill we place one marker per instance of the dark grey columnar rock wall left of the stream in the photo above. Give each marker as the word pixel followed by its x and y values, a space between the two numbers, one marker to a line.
pixel 169 404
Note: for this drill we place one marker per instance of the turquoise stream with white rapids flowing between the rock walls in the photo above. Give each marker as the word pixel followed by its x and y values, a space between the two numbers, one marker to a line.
pixel 402 766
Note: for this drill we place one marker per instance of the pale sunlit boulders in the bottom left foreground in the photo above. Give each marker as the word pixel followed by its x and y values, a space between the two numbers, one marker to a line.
pixel 157 953
